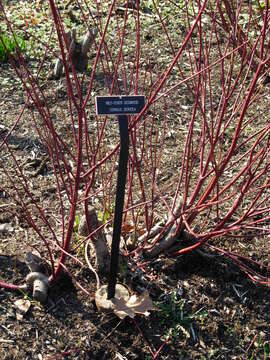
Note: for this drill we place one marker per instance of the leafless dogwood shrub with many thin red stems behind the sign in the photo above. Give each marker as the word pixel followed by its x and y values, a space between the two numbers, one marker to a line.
pixel 198 169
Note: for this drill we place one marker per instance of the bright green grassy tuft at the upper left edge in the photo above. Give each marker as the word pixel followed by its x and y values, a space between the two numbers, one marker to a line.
pixel 10 45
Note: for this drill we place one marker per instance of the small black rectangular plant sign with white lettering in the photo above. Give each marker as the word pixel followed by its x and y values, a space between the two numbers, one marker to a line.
pixel 119 105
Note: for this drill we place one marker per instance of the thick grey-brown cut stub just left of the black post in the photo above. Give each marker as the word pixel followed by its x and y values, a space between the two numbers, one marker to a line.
pixel 98 240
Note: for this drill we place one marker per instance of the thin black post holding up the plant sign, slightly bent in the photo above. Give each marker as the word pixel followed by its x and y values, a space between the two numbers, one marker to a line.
pixel 119 203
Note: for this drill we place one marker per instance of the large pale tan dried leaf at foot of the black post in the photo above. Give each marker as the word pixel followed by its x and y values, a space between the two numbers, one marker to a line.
pixel 135 305
